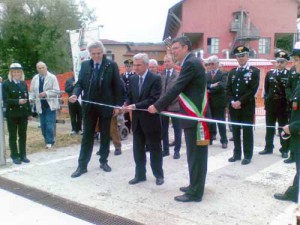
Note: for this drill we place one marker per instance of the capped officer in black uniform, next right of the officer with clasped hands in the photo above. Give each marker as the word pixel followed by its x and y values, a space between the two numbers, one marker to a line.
pixel 276 103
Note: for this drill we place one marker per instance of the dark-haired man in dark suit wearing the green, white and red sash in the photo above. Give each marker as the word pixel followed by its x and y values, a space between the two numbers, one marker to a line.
pixel 190 85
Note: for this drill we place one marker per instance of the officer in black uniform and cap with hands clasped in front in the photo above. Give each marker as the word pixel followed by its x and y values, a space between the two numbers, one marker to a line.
pixel 241 88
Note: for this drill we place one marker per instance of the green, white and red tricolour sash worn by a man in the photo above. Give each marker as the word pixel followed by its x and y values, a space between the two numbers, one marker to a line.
pixel 191 109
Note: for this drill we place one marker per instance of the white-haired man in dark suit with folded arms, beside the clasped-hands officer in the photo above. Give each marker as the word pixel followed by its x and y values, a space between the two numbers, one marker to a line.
pixel 216 85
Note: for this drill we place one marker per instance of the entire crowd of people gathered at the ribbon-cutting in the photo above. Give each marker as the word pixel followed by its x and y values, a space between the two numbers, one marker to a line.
pixel 141 93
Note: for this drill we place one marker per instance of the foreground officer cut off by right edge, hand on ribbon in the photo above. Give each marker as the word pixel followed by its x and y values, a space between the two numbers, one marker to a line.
pixel 293 129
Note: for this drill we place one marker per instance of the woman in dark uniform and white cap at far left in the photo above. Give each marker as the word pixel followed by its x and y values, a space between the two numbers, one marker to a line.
pixel 17 112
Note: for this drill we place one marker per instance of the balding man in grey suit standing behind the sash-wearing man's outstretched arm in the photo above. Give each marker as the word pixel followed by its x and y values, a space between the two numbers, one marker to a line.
pixel 169 77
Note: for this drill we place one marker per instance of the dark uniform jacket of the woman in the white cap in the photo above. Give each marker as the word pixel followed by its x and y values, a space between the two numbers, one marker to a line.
pixel 12 93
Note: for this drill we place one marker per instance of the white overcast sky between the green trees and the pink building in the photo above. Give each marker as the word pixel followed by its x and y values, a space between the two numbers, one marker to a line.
pixel 132 20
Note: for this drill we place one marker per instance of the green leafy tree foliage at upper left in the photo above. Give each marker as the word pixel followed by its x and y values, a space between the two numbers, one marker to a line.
pixel 35 30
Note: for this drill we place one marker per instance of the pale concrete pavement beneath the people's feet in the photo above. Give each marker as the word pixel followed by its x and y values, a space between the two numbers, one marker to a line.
pixel 234 194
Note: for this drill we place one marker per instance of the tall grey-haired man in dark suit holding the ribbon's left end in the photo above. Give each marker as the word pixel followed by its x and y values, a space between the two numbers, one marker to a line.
pixel 99 82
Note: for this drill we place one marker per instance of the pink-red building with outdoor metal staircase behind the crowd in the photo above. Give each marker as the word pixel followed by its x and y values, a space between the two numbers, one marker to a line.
pixel 217 26
